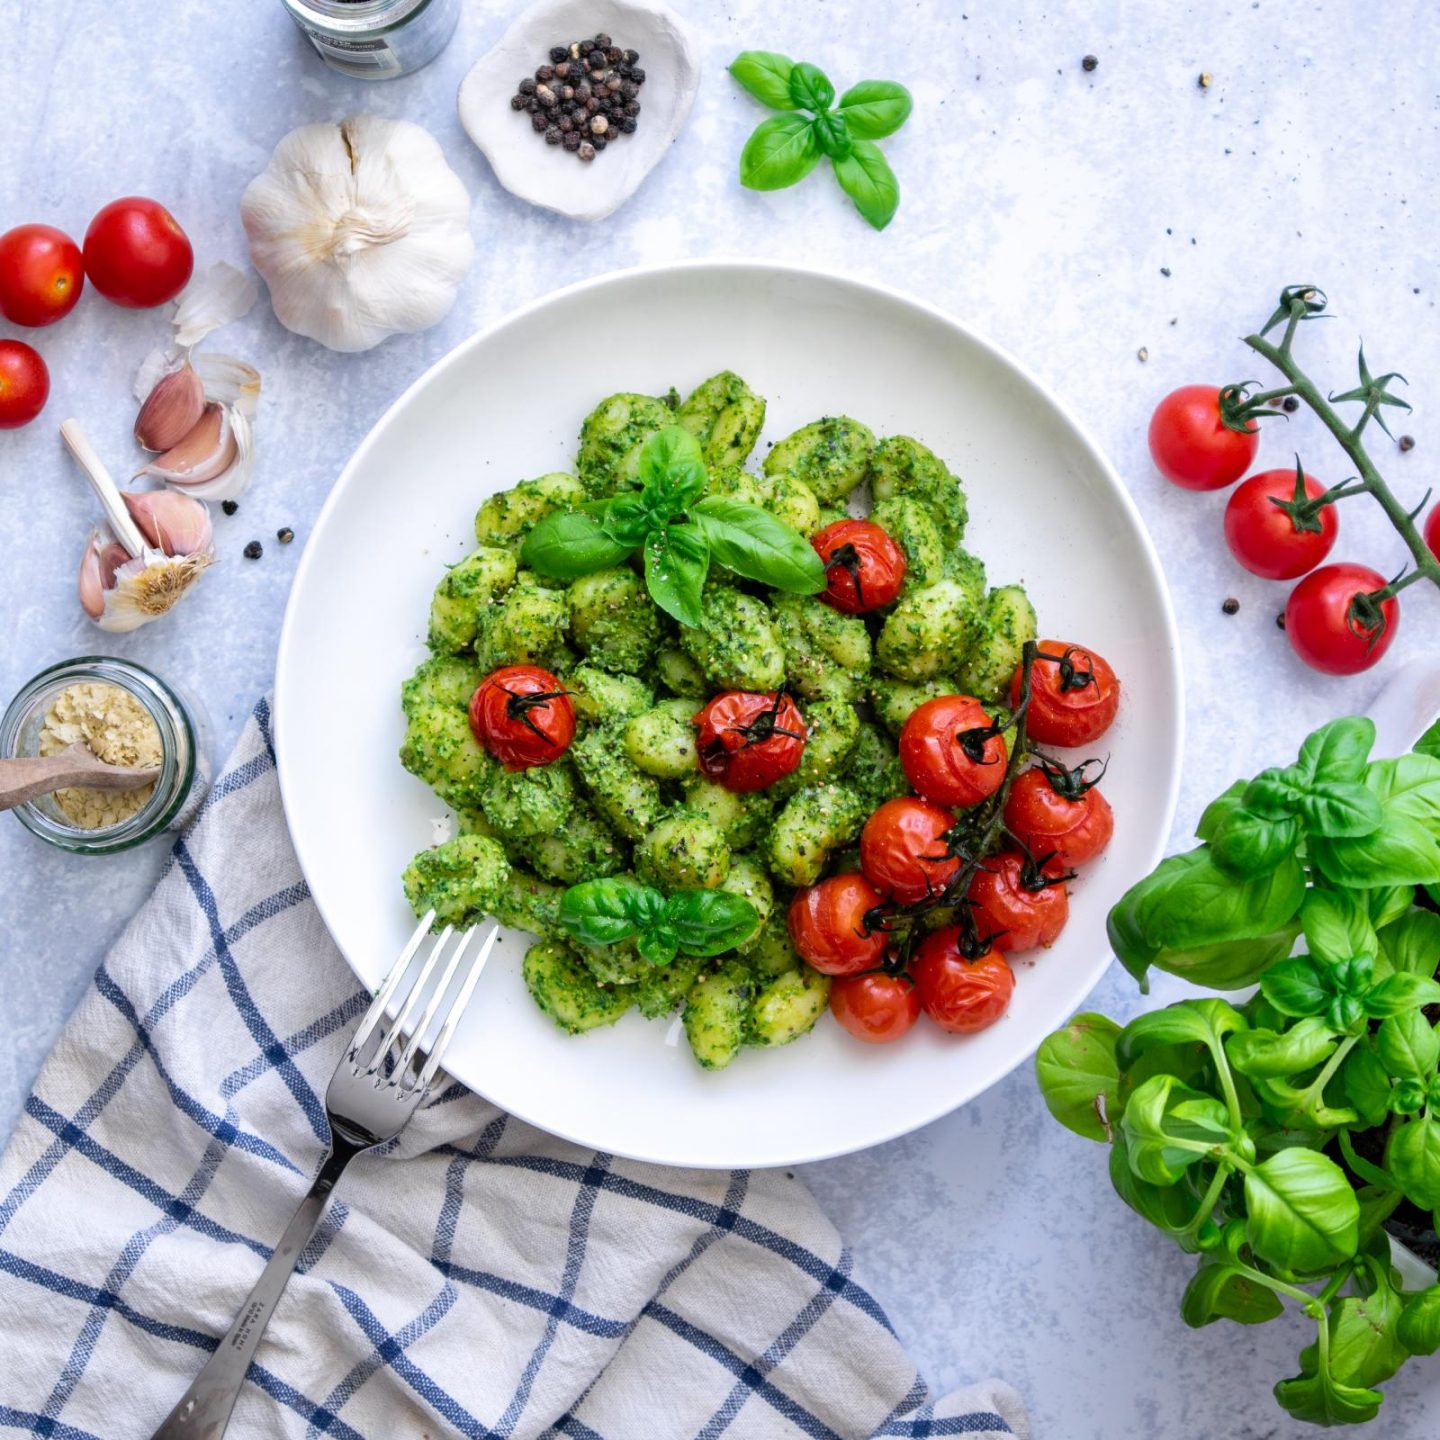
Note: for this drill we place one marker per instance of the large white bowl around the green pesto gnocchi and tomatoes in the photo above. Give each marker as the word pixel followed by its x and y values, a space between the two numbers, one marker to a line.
pixel 1046 509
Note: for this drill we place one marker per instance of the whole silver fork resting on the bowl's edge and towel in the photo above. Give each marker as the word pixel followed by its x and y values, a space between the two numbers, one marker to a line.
pixel 379 1084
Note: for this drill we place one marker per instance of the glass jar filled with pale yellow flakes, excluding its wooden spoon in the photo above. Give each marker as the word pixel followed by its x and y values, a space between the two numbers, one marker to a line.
pixel 126 716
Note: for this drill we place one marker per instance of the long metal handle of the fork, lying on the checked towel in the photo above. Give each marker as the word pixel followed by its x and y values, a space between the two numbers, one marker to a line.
pixel 205 1409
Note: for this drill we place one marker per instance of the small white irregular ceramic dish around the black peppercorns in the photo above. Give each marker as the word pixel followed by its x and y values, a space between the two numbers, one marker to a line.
pixel 551 176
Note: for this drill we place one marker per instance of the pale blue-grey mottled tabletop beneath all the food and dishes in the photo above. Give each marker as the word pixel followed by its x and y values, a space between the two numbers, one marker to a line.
pixel 1040 205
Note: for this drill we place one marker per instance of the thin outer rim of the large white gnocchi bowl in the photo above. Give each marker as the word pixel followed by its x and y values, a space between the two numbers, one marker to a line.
pixel 918 1112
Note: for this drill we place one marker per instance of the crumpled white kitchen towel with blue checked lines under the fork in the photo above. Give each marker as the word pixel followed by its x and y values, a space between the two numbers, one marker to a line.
pixel 485 1281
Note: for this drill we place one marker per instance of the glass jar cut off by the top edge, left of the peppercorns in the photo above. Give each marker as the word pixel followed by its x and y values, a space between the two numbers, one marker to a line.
pixel 377 40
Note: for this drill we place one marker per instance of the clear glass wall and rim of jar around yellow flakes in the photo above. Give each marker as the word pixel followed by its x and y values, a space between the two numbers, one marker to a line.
pixel 185 745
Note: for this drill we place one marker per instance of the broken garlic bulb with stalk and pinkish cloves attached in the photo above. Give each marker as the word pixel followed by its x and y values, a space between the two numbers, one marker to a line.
pixel 155 546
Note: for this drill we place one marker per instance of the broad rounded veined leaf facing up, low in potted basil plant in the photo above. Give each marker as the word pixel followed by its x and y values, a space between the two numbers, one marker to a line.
pixel 1302 1212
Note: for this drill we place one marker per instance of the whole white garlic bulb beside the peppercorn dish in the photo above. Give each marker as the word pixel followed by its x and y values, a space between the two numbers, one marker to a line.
pixel 361 230
